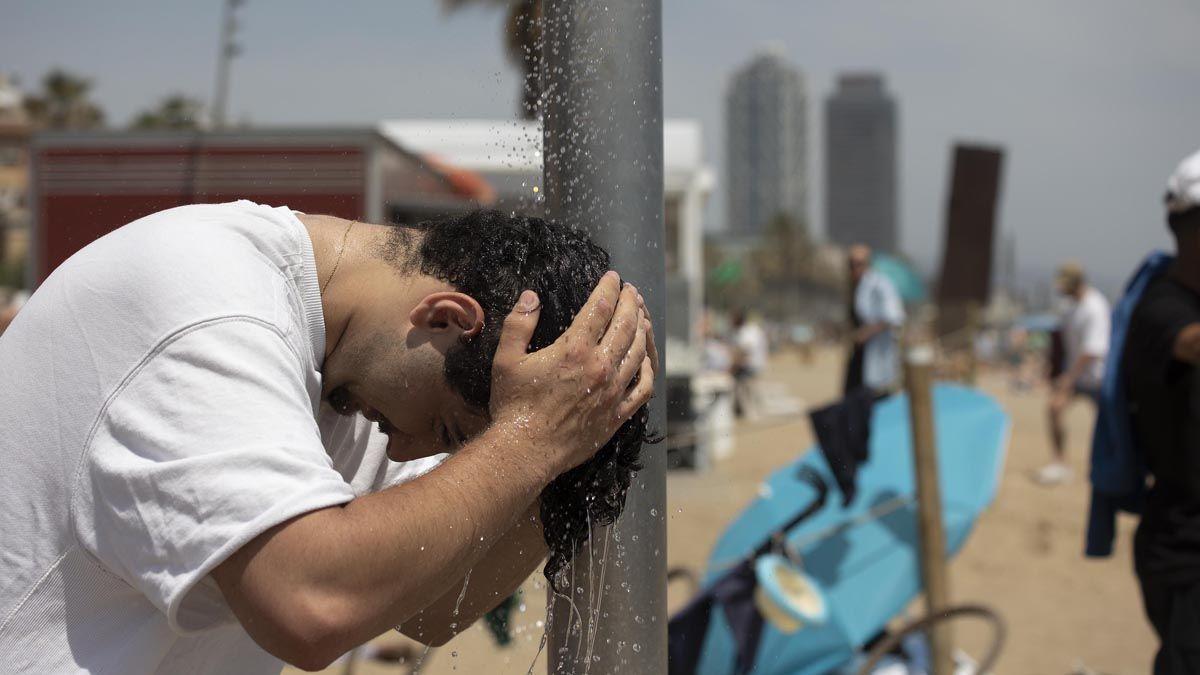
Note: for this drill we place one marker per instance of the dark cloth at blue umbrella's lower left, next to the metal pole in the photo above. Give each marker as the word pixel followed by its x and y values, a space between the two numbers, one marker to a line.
pixel 687 630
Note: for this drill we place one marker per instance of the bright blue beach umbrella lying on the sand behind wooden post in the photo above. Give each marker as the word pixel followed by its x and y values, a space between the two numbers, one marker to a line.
pixel 863 557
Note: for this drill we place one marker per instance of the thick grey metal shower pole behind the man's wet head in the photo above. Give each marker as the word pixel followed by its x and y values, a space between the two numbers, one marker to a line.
pixel 603 106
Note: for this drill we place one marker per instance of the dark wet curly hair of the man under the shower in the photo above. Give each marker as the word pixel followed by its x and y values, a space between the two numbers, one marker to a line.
pixel 494 258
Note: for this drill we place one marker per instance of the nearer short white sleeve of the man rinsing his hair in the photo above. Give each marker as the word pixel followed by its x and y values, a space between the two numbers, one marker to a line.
pixel 212 443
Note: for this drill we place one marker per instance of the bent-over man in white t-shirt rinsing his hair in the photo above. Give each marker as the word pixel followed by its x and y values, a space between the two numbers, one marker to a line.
pixel 200 410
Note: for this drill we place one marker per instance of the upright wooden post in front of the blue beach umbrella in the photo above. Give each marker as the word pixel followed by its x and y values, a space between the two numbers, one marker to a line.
pixel 919 381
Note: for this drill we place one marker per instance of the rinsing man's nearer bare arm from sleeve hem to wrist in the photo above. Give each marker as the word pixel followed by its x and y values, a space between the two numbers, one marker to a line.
pixel 340 577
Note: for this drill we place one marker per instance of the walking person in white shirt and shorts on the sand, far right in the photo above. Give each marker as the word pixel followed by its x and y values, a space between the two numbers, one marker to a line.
pixel 1085 334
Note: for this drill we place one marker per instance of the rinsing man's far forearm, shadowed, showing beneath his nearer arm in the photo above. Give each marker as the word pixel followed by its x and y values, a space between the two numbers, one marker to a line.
pixel 495 578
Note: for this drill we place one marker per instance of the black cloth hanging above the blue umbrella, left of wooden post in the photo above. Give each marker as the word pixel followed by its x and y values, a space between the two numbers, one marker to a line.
pixel 844 433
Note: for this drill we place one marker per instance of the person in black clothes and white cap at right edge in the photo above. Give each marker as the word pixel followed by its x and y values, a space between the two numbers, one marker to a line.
pixel 1162 380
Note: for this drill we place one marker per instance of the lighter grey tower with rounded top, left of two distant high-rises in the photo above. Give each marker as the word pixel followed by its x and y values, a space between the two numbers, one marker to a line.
pixel 766 145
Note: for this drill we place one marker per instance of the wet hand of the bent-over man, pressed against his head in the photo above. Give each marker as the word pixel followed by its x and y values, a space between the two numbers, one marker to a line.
pixel 571 398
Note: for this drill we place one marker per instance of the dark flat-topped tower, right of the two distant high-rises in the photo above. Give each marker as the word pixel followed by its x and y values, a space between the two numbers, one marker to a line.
pixel 861 164
